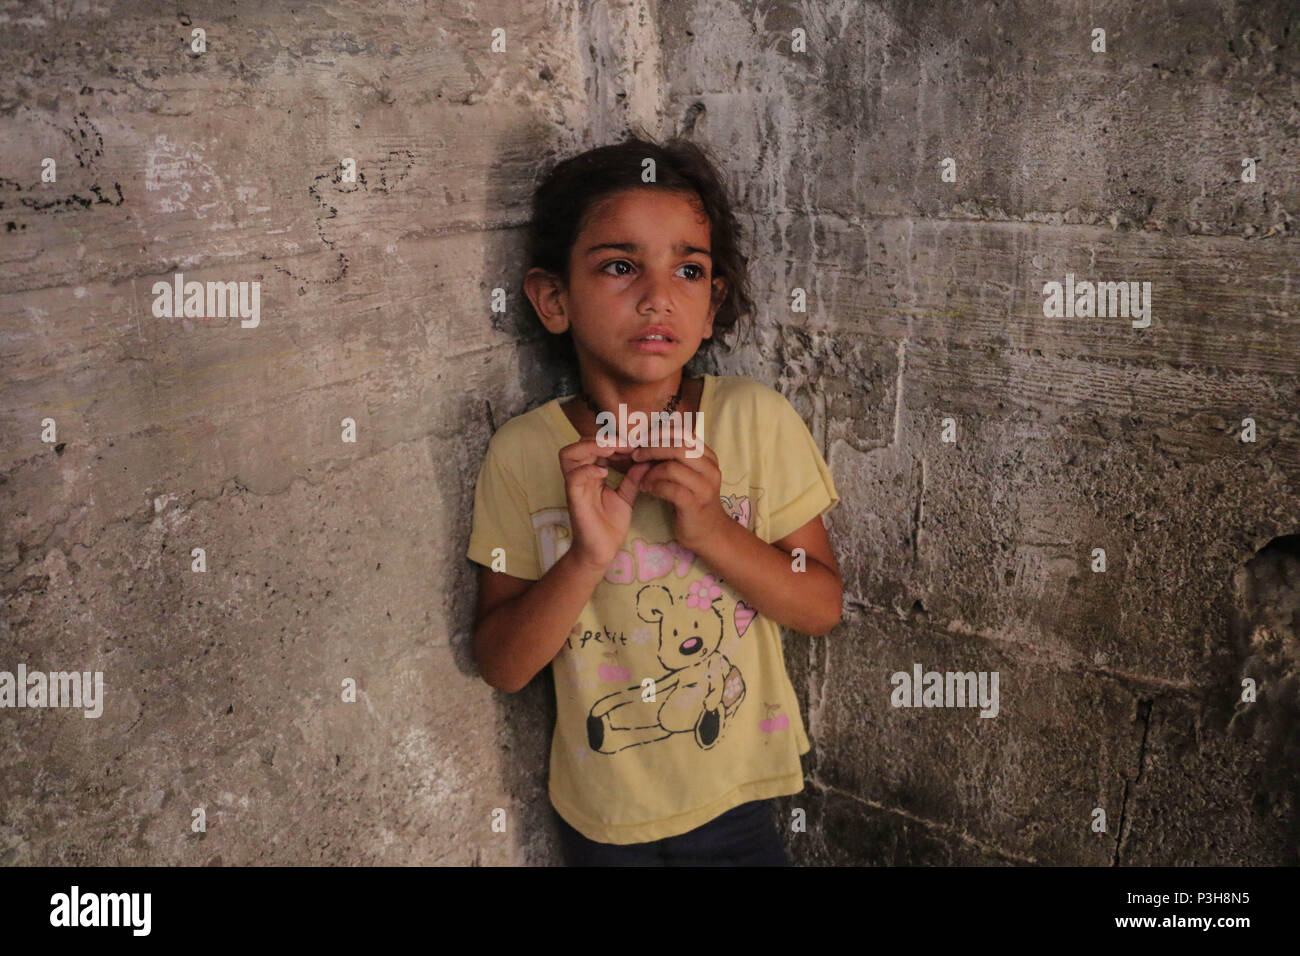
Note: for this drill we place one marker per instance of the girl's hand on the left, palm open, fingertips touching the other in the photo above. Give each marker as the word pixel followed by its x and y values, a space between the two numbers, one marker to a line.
pixel 600 516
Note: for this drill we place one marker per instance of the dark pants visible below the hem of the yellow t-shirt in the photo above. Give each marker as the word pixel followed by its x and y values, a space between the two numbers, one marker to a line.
pixel 746 836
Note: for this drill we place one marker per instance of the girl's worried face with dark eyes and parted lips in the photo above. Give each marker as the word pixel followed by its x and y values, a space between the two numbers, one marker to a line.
pixel 640 266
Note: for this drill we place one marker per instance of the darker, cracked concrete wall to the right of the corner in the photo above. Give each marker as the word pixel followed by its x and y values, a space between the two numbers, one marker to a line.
pixel 1121 691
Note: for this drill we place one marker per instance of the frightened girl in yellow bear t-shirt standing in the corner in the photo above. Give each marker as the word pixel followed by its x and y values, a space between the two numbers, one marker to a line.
pixel 653 570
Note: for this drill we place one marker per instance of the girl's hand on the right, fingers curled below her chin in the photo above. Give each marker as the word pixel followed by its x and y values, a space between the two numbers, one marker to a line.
pixel 694 486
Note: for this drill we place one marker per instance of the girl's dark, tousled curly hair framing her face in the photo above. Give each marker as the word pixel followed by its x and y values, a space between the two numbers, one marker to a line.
pixel 565 198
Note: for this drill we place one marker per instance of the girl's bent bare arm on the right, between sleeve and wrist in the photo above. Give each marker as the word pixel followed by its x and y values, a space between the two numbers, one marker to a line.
pixel 809 602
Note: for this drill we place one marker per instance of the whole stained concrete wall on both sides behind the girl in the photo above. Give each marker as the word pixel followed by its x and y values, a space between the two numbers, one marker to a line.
pixel 330 561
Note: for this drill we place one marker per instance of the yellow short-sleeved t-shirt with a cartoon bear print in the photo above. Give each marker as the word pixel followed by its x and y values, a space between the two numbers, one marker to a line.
pixel 725 726
